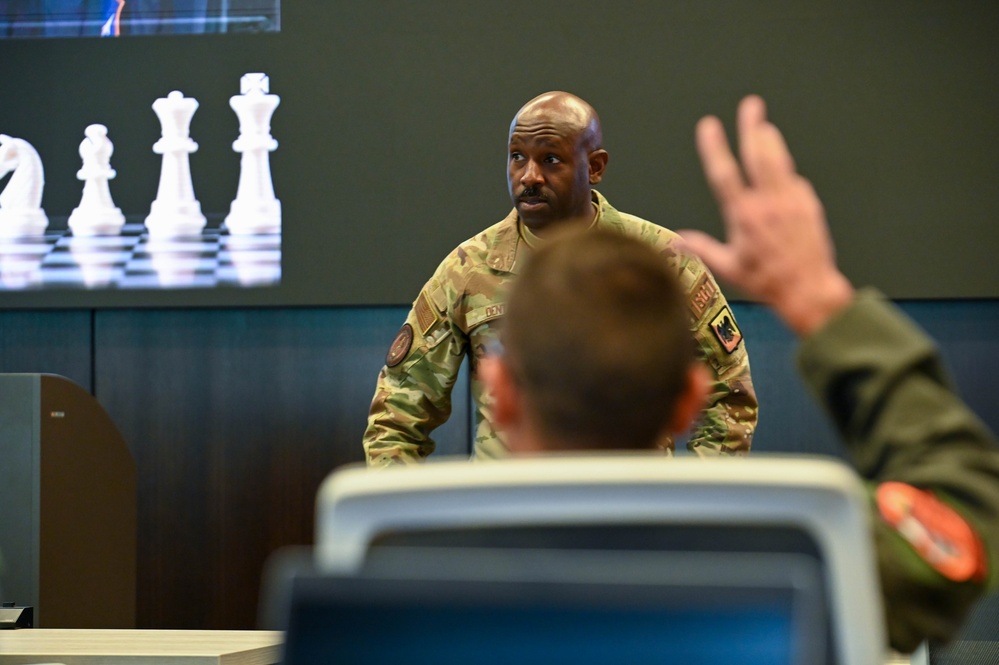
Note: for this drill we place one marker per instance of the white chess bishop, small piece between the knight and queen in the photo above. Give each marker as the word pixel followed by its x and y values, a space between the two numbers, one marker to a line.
pixel 97 214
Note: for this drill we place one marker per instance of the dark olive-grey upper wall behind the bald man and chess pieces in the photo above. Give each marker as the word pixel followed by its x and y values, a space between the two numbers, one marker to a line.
pixel 393 120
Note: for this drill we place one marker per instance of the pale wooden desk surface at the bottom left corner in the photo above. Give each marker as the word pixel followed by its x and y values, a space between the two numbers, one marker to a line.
pixel 140 647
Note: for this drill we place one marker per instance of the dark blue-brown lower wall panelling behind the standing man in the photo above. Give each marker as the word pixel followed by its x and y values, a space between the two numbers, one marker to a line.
pixel 235 416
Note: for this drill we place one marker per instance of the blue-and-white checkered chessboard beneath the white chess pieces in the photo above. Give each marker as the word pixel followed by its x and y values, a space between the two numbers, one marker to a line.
pixel 133 260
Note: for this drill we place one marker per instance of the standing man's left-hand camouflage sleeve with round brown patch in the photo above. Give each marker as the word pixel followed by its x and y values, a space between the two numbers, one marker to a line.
pixel 413 392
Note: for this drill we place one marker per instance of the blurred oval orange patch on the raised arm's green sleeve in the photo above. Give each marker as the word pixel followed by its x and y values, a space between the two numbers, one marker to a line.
pixel 935 530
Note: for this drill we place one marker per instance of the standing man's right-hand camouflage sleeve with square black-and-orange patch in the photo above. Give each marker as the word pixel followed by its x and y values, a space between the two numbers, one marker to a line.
pixel 729 420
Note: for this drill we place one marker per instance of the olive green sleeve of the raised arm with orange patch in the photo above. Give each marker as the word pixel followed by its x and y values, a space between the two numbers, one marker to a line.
pixel 933 467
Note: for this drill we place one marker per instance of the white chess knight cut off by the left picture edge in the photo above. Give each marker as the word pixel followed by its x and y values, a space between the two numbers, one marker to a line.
pixel 21 211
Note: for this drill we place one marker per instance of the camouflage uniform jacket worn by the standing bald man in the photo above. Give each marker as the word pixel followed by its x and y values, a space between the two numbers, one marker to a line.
pixel 456 314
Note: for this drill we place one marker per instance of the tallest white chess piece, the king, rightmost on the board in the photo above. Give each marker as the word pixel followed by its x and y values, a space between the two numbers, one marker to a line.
pixel 254 210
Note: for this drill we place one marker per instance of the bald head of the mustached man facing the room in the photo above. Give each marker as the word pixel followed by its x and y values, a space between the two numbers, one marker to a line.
pixel 556 156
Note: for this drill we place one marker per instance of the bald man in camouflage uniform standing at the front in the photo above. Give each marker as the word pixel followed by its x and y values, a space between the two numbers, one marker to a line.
pixel 556 158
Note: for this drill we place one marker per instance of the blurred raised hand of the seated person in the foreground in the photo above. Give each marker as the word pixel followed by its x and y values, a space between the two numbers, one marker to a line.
pixel 778 245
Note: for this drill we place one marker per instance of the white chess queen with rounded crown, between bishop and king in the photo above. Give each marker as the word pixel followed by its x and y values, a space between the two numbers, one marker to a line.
pixel 175 212
